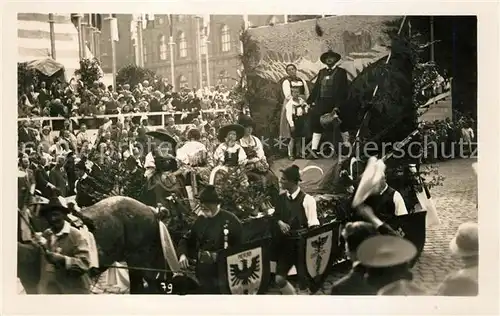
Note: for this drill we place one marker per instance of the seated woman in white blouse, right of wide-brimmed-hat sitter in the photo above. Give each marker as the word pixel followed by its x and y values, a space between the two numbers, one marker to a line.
pixel 256 166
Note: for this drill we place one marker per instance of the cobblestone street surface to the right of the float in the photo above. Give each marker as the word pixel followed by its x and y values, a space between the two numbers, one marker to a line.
pixel 456 203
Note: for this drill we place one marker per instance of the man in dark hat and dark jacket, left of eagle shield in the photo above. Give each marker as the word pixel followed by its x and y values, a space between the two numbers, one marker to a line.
pixel 215 229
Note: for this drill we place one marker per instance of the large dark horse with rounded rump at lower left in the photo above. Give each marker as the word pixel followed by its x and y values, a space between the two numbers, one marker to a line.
pixel 125 230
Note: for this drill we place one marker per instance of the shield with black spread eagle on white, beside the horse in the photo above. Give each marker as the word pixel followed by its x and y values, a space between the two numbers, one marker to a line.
pixel 245 269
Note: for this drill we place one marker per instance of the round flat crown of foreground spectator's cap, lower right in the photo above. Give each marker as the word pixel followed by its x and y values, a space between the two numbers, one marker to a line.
pixel 385 251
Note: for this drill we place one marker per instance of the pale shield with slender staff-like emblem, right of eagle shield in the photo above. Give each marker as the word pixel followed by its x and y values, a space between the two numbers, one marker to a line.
pixel 318 249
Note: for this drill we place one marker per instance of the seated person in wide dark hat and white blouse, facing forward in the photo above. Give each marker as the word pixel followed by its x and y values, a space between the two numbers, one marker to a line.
pixel 230 153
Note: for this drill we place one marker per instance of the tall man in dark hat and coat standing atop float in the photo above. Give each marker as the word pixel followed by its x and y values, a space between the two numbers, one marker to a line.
pixel 329 92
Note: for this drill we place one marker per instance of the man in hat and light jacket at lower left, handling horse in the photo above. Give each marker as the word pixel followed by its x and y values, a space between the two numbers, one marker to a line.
pixel 67 256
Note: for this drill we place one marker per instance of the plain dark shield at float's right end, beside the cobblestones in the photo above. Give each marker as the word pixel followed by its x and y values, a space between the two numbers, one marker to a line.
pixel 411 227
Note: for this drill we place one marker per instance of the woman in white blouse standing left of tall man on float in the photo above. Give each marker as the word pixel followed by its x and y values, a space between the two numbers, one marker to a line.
pixel 291 80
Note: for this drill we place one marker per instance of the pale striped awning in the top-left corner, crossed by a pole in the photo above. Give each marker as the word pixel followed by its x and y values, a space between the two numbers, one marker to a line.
pixel 33 38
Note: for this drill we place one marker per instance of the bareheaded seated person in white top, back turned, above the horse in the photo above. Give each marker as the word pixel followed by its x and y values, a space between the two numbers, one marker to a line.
pixel 194 162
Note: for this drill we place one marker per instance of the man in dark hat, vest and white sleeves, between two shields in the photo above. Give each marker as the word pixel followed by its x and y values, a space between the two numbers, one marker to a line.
pixel 295 212
